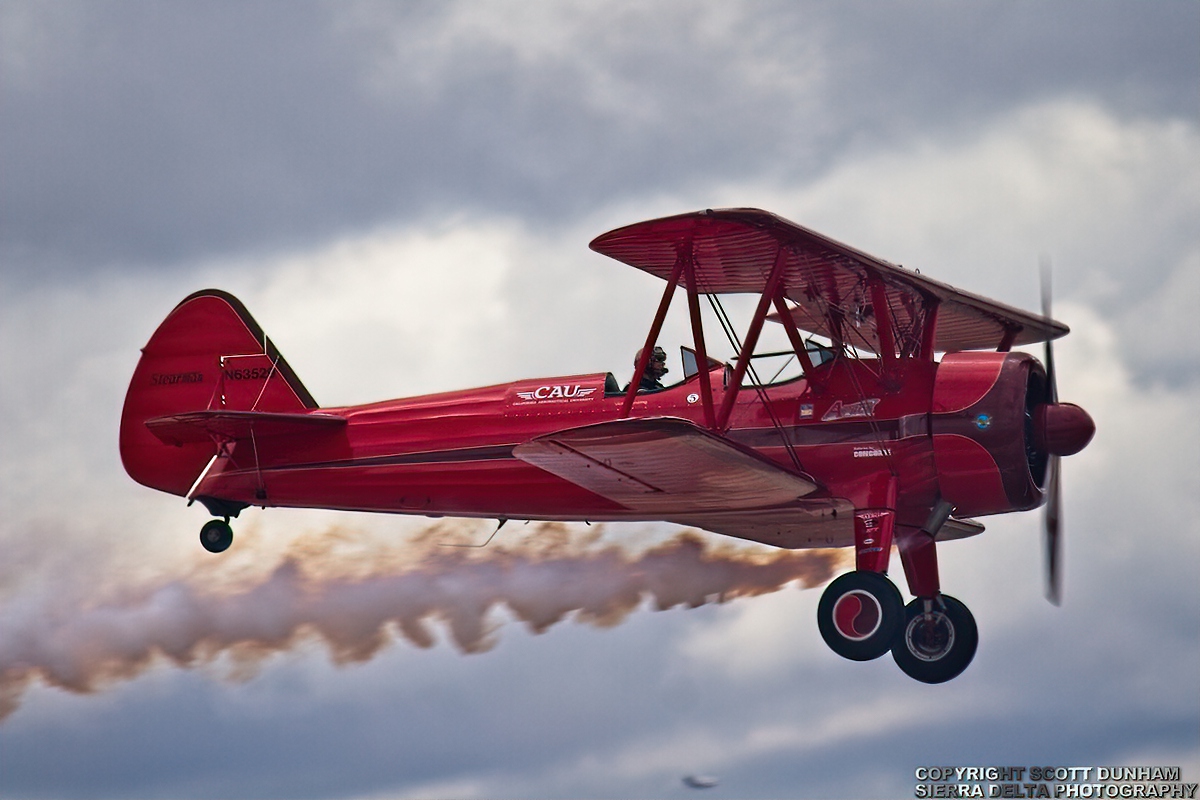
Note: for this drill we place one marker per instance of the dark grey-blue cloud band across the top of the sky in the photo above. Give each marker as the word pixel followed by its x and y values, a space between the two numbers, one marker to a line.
pixel 146 135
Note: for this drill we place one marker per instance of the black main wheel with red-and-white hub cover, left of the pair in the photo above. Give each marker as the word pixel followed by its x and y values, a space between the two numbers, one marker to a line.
pixel 860 616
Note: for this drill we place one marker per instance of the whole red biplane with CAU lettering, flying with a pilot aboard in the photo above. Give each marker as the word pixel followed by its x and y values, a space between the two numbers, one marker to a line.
pixel 875 444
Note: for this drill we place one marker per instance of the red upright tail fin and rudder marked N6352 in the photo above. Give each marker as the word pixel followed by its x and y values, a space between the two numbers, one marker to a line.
pixel 208 356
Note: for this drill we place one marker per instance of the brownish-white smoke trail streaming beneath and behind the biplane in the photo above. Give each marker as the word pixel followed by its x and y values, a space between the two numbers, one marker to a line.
pixel 358 603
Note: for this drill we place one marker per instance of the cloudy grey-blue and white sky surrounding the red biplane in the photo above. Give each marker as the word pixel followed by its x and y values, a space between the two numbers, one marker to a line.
pixel 403 195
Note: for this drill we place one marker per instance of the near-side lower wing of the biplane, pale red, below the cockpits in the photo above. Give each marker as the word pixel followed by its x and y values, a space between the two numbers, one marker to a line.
pixel 663 465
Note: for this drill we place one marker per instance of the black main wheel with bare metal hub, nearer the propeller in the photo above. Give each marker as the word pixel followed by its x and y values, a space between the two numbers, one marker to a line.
pixel 937 647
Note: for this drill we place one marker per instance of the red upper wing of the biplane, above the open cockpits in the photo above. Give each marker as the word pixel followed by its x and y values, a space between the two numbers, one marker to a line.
pixel 734 251
